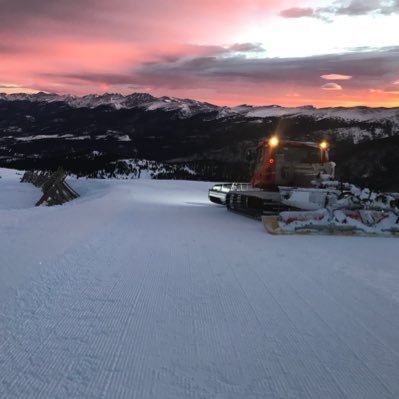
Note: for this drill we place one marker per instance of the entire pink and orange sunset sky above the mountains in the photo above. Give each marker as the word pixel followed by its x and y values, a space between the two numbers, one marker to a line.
pixel 227 52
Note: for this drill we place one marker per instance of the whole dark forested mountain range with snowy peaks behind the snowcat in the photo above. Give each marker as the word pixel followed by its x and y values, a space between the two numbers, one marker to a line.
pixel 91 133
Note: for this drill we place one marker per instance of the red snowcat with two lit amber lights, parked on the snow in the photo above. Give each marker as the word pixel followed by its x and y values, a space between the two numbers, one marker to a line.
pixel 293 190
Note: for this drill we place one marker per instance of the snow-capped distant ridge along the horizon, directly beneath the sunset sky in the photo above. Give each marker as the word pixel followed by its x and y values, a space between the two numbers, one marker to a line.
pixel 188 108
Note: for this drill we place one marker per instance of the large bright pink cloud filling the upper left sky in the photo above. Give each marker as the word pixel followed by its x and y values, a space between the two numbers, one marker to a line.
pixel 98 36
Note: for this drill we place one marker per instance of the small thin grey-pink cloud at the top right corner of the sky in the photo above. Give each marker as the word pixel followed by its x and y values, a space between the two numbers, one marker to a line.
pixel 354 8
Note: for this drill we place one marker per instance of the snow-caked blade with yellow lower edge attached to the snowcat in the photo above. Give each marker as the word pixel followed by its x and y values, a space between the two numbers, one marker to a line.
pixel 365 223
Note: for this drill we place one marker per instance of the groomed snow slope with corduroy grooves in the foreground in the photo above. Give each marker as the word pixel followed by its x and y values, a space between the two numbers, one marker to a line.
pixel 143 289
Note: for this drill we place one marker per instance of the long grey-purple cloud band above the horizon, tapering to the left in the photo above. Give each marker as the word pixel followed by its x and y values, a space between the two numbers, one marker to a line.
pixel 376 69
